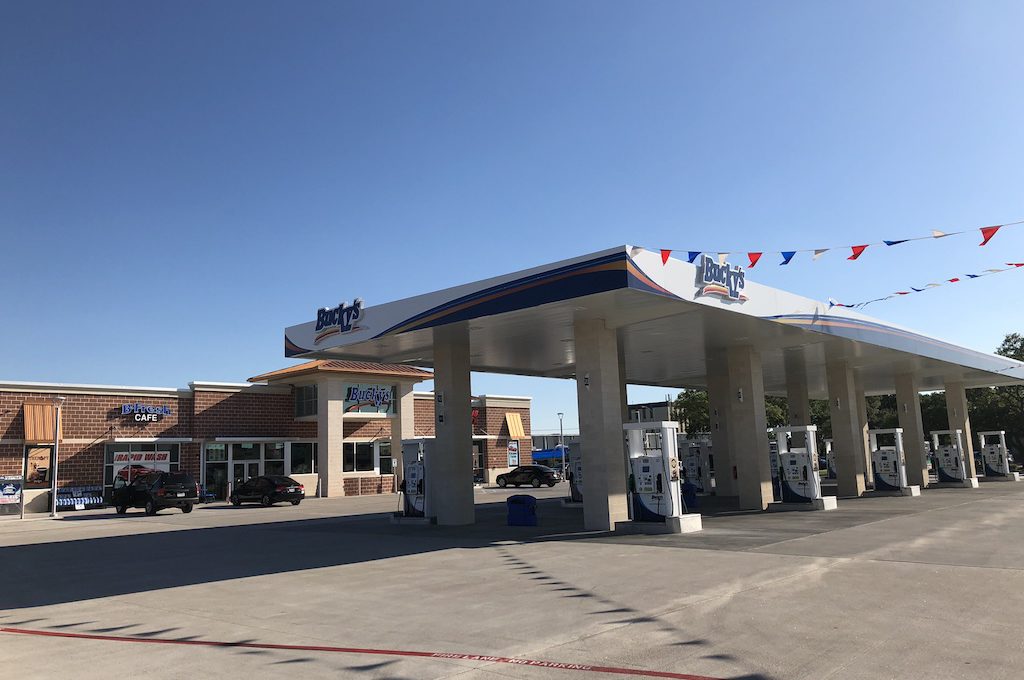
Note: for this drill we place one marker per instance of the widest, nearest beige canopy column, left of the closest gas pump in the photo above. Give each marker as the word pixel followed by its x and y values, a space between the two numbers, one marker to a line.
pixel 600 394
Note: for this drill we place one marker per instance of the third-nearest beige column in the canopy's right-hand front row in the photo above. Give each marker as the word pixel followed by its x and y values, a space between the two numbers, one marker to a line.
pixel 847 434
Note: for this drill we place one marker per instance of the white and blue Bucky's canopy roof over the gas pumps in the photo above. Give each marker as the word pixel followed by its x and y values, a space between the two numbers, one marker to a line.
pixel 670 317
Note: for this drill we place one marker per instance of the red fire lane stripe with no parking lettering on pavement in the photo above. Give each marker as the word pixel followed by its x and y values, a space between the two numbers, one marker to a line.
pixel 358 651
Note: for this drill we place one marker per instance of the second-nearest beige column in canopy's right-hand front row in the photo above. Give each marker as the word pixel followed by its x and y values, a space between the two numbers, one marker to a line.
pixel 749 429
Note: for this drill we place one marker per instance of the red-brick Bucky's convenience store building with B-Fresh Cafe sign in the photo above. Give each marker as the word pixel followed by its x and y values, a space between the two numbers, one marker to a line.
pixel 328 424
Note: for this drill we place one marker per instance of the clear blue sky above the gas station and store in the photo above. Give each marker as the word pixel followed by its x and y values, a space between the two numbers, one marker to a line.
pixel 182 181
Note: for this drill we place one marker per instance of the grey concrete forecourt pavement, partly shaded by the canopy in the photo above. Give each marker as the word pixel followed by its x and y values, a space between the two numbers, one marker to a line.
pixel 883 588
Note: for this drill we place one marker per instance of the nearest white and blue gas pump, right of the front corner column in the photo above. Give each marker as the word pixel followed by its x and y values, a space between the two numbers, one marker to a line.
pixel 655 477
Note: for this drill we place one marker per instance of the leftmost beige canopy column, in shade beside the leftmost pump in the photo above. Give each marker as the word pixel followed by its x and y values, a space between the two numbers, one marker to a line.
pixel 452 461
